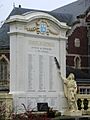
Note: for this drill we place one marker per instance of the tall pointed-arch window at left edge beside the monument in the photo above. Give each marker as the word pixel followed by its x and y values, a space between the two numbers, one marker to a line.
pixel 4 68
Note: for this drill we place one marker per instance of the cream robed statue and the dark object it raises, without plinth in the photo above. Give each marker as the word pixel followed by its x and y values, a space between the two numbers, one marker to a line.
pixel 70 90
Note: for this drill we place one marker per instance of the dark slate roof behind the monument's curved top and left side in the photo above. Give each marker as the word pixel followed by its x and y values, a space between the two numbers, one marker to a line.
pixel 4 37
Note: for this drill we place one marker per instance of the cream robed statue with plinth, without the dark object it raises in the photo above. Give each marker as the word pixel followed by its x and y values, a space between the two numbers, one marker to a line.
pixel 70 90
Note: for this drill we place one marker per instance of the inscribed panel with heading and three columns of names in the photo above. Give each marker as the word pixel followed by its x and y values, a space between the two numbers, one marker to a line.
pixel 41 67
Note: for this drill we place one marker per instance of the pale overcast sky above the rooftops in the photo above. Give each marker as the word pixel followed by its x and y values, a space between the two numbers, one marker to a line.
pixel 7 5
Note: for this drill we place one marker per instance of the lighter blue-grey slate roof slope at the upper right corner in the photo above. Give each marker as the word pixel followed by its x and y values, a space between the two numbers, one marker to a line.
pixel 75 8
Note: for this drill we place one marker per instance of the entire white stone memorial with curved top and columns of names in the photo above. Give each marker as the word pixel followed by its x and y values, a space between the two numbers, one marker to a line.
pixel 35 39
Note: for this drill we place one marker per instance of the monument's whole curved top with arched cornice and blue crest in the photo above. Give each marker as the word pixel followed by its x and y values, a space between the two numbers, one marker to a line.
pixel 39 23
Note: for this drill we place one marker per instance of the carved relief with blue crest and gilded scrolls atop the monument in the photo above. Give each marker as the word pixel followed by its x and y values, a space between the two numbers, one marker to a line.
pixel 43 27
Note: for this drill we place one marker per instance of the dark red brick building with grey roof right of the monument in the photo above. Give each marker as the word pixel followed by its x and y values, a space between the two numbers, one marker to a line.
pixel 78 44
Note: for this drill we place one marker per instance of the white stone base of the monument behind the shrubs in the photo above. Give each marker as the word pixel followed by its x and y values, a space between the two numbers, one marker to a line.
pixel 31 100
